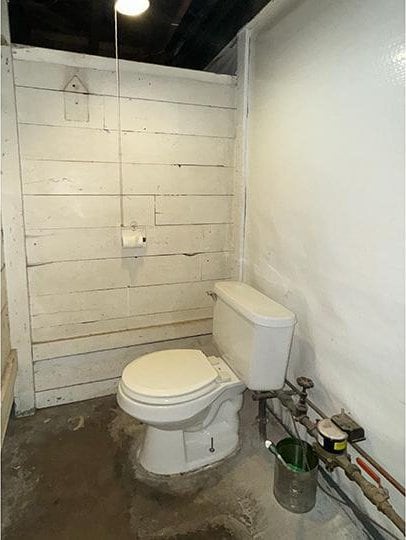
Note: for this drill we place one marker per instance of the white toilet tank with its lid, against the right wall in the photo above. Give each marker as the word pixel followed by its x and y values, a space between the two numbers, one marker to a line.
pixel 253 334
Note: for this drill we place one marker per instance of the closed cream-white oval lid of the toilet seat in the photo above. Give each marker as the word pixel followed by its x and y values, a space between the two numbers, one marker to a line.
pixel 169 374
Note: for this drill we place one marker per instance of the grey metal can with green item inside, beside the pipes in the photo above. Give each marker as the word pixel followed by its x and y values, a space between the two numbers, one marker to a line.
pixel 295 487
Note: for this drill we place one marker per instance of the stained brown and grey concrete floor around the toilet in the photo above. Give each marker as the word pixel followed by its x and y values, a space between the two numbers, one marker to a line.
pixel 69 472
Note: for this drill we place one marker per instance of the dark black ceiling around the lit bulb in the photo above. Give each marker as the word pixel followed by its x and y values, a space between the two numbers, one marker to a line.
pixel 184 33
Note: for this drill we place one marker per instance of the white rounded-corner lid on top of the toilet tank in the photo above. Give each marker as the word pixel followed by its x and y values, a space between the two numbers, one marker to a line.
pixel 253 305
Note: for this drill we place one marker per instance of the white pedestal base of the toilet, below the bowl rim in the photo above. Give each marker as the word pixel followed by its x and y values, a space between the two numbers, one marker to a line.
pixel 178 451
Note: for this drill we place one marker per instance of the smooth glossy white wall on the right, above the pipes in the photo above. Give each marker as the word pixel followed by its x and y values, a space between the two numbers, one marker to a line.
pixel 325 203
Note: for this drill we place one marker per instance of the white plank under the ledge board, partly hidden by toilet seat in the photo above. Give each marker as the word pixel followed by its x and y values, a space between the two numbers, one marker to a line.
pixel 102 365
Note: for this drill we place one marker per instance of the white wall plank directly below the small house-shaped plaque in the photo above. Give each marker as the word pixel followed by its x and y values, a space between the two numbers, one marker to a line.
pixel 80 144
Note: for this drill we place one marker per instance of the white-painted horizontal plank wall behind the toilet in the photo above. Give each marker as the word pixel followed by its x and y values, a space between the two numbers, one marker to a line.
pixel 95 306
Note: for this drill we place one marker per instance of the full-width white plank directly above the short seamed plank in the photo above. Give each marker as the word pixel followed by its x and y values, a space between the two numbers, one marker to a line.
pixel 81 178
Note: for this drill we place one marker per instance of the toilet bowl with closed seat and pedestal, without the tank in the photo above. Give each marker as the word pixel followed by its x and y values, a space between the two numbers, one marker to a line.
pixel 189 403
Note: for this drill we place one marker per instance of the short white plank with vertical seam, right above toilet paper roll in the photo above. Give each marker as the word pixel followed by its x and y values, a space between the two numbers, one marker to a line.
pixel 193 209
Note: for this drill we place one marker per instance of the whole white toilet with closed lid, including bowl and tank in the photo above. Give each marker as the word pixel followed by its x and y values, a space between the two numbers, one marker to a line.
pixel 190 402
